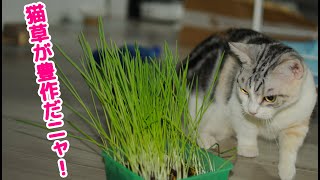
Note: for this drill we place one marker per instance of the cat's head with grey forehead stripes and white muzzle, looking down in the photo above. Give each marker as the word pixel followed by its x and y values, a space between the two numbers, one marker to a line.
pixel 270 78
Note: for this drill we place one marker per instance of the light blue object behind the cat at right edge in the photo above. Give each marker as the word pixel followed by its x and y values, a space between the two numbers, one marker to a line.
pixel 309 51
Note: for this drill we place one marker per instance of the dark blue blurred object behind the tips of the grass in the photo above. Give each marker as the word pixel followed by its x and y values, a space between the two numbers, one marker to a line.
pixel 146 53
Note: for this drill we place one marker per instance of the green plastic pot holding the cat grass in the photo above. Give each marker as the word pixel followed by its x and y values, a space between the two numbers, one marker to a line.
pixel 114 170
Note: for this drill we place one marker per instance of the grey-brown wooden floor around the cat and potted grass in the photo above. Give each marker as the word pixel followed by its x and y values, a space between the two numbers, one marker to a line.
pixel 25 151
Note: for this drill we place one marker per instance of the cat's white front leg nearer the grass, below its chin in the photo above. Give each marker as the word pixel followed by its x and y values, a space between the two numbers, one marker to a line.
pixel 247 134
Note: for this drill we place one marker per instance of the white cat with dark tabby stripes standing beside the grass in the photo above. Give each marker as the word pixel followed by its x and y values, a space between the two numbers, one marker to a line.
pixel 263 89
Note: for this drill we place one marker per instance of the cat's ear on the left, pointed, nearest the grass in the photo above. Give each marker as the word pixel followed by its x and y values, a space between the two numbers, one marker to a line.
pixel 242 51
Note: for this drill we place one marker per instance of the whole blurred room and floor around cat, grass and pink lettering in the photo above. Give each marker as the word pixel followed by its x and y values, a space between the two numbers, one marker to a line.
pixel 181 23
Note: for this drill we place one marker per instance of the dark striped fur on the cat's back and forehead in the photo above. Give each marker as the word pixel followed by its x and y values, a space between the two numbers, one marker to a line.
pixel 204 57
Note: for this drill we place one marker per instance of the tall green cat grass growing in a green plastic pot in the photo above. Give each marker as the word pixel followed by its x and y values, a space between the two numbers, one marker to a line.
pixel 142 134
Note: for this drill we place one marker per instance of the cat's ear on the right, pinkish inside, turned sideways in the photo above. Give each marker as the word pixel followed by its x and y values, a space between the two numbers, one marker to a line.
pixel 291 68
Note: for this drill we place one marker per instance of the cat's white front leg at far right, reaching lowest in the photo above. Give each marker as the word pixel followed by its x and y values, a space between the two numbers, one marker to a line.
pixel 290 141
